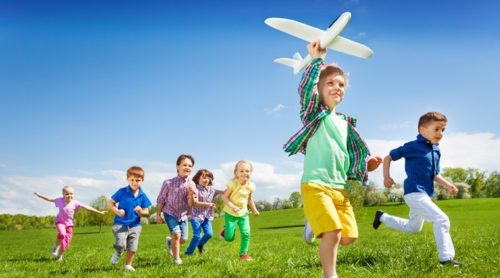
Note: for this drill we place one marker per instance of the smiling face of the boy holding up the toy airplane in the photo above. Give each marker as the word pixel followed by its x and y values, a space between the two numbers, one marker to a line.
pixel 331 89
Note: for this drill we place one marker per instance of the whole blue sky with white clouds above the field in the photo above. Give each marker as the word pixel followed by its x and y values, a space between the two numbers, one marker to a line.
pixel 89 88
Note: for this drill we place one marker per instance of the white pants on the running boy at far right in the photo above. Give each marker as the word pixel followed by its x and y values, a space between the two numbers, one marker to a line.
pixel 422 208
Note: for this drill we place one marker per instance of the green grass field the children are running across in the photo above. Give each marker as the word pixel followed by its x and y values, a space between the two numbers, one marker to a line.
pixel 277 249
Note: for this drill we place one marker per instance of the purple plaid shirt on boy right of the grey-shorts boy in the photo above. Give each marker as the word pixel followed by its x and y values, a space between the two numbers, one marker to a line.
pixel 174 197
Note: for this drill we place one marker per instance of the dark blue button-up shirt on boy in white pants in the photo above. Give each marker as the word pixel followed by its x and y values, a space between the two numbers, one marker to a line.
pixel 421 164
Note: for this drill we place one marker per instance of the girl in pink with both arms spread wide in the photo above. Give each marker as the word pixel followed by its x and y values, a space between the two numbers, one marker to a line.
pixel 64 219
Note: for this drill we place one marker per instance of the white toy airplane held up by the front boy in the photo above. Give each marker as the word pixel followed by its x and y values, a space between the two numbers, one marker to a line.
pixel 328 39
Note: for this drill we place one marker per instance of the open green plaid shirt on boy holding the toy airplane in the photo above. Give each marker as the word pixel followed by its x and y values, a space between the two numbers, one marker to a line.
pixel 311 114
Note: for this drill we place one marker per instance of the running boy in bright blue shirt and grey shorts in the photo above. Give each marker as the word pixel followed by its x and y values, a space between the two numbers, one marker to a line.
pixel 132 204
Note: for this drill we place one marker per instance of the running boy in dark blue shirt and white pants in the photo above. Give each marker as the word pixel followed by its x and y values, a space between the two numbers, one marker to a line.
pixel 422 170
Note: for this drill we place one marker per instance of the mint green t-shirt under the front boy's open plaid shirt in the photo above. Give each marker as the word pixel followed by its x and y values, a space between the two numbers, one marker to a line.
pixel 327 161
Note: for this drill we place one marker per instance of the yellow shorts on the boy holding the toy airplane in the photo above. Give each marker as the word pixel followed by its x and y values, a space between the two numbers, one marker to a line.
pixel 328 209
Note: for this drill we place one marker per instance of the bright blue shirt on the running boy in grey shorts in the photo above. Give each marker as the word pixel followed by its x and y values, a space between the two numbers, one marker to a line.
pixel 127 201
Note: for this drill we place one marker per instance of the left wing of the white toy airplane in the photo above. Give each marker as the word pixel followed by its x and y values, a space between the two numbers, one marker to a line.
pixel 295 28
